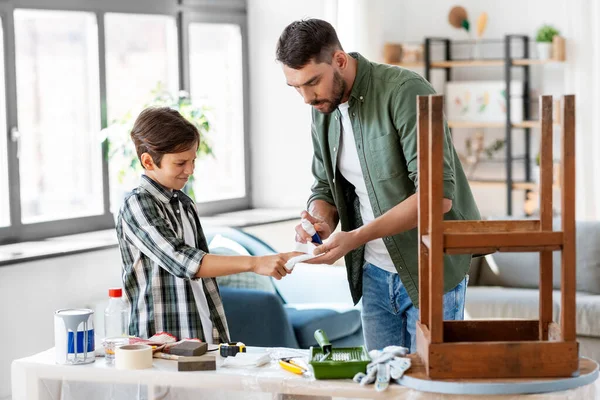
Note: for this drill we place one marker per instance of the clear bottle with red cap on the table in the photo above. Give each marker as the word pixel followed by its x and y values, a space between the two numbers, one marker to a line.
pixel 116 323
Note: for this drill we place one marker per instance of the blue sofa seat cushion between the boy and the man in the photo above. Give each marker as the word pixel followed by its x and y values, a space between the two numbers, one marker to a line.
pixel 337 325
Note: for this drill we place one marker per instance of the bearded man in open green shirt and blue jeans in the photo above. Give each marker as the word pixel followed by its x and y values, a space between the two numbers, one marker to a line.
pixel 364 135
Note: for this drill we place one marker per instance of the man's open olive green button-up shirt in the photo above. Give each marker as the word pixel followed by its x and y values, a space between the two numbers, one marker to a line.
pixel 383 113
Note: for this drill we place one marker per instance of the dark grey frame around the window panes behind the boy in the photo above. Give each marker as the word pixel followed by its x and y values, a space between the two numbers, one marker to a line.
pixel 184 12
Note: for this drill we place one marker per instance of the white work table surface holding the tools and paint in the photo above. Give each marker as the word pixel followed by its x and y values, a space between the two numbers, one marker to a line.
pixel 31 374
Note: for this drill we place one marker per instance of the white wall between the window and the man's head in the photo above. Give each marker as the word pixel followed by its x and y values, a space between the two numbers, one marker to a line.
pixel 281 147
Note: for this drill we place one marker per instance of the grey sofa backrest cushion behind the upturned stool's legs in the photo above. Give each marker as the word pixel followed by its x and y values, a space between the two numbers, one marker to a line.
pixel 522 269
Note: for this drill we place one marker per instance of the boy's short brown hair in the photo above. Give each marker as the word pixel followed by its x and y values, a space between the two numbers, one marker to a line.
pixel 161 130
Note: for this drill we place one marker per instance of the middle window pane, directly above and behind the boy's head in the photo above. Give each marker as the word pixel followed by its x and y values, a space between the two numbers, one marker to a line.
pixel 141 63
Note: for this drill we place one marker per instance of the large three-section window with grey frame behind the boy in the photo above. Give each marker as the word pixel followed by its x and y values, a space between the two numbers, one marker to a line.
pixel 69 72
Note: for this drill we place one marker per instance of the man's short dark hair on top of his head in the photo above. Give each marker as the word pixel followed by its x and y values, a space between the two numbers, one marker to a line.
pixel 306 40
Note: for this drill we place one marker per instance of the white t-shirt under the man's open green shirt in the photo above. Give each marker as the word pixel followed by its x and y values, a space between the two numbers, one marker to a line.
pixel 349 165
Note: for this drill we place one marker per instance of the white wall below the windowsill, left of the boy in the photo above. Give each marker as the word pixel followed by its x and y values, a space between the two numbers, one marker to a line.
pixel 31 292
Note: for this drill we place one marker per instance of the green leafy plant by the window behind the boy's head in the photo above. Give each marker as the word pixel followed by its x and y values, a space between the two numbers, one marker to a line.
pixel 124 165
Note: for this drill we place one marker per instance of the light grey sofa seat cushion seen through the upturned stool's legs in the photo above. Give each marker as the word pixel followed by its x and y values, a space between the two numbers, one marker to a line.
pixel 486 302
